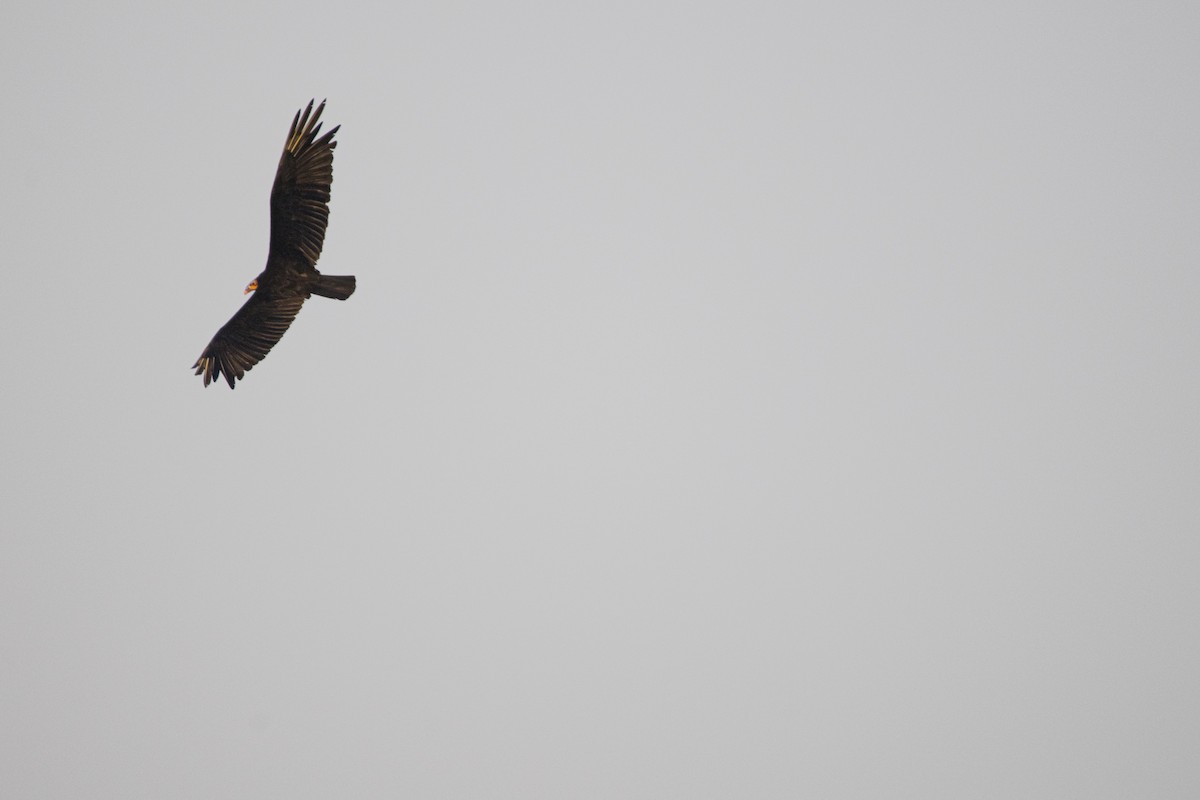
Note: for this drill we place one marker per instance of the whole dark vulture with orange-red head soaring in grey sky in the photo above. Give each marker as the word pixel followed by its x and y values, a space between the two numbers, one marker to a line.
pixel 299 216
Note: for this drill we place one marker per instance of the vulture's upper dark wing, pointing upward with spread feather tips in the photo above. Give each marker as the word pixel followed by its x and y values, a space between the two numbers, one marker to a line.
pixel 301 195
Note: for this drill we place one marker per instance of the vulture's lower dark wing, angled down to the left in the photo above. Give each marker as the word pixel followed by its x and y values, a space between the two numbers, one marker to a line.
pixel 248 338
